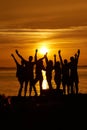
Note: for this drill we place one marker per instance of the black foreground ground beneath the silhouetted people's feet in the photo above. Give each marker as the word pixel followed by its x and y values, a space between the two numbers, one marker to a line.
pixel 44 112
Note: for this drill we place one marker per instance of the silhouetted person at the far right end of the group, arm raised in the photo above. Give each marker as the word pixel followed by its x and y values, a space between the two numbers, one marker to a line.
pixel 74 80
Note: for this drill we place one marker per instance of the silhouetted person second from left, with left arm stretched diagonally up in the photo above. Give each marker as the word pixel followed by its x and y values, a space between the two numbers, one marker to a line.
pixel 29 65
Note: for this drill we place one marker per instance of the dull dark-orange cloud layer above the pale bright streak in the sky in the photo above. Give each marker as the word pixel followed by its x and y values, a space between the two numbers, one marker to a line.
pixel 42 14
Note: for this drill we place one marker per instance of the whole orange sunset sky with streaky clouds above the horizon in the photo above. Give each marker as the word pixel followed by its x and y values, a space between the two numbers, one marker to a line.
pixel 55 24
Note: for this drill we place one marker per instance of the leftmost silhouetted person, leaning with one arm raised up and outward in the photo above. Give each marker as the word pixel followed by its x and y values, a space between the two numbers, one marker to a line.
pixel 20 74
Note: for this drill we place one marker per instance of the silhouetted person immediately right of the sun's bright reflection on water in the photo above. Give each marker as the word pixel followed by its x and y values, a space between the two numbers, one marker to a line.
pixel 49 68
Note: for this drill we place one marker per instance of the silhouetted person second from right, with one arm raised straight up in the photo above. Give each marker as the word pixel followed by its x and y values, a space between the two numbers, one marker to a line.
pixel 65 73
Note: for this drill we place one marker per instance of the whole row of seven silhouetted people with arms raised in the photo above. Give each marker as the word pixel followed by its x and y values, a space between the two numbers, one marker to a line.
pixel 65 73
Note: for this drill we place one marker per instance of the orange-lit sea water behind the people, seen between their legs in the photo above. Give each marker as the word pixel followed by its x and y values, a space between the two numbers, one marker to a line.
pixel 9 84
